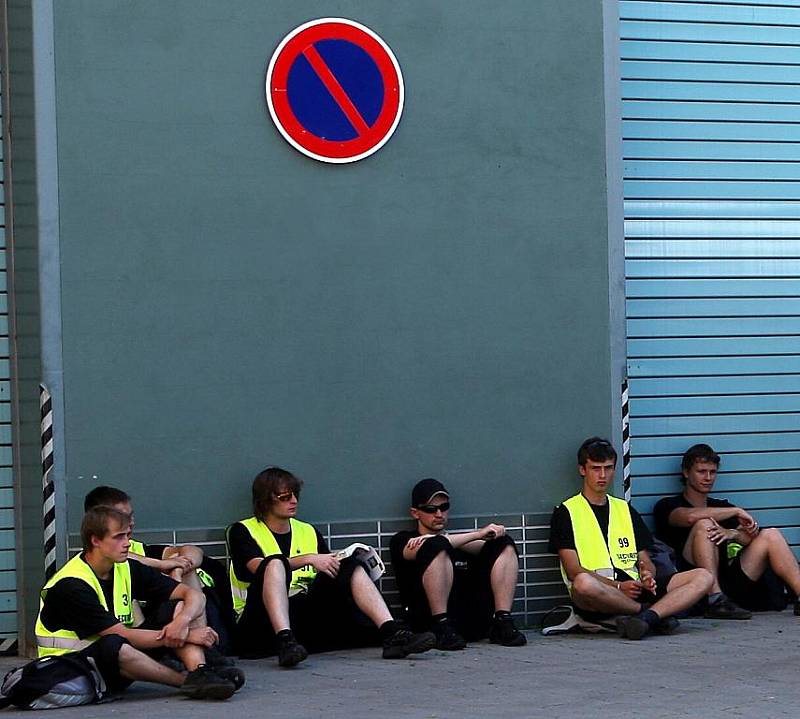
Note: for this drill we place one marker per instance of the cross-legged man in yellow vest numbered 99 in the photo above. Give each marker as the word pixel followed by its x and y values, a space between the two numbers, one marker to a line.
pixel 602 543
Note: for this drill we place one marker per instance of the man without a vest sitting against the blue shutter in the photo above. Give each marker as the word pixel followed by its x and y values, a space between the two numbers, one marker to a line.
pixel 724 539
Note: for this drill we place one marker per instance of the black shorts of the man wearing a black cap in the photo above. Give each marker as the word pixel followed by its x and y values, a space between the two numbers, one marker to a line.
pixel 471 602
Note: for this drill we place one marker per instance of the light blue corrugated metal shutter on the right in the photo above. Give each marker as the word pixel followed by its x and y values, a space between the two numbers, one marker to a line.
pixel 711 129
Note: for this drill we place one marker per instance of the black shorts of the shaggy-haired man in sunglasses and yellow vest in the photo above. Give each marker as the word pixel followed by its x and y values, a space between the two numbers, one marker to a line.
pixel 323 619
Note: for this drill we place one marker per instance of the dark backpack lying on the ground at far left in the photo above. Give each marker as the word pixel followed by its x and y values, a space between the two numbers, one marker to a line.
pixel 52 682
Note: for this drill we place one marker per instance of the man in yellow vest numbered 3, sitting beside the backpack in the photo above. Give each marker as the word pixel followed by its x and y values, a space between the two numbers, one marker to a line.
pixel 86 607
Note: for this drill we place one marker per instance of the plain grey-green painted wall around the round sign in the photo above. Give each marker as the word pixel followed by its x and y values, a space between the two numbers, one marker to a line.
pixel 440 308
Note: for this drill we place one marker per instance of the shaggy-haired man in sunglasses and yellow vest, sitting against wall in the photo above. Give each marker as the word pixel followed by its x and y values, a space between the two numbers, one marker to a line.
pixel 292 596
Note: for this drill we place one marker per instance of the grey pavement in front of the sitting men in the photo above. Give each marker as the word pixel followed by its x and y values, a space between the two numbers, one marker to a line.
pixel 708 669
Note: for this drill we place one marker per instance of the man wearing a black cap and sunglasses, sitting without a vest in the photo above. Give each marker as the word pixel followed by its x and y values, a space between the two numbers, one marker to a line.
pixel 453 582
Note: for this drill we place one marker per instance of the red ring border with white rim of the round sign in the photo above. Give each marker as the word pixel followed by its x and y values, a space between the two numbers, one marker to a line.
pixel 281 112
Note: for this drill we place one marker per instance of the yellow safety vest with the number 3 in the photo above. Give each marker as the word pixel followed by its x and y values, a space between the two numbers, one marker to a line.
pixel 63 641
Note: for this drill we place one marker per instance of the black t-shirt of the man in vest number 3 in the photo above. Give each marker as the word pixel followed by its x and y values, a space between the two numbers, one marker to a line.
pixel 72 604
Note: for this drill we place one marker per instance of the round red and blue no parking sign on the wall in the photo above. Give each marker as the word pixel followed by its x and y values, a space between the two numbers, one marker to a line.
pixel 334 90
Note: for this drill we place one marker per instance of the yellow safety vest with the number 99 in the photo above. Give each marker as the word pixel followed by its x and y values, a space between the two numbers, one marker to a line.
pixel 594 553
